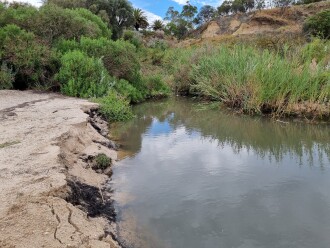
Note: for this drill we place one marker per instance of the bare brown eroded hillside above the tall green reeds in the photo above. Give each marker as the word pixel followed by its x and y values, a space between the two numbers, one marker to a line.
pixel 275 21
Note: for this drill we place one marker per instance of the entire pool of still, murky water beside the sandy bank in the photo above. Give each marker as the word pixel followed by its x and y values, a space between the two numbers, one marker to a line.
pixel 199 177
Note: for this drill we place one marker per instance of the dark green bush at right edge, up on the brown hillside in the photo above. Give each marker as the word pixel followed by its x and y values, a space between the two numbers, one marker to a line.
pixel 318 25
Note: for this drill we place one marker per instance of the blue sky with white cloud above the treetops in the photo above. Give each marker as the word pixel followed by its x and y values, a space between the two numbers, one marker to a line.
pixel 154 9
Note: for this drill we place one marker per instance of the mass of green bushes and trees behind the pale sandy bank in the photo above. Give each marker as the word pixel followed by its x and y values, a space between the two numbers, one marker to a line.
pixel 64 46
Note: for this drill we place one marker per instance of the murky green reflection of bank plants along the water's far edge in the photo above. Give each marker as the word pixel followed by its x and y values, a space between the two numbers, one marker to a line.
pixel 260 135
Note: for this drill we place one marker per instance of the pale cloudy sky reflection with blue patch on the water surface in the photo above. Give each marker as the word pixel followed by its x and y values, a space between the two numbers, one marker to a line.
pixel 194 191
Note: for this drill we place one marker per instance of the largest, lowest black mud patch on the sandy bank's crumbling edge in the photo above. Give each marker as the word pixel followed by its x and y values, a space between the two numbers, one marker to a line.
pixel 94 201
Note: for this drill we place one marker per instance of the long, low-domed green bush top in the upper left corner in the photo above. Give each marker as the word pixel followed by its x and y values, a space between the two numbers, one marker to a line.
pixel 52 22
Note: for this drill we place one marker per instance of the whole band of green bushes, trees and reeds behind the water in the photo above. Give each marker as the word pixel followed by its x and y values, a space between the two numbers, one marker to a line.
pixel 77 48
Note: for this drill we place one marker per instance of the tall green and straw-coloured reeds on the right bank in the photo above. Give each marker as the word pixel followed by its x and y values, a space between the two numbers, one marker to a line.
pixel 259 81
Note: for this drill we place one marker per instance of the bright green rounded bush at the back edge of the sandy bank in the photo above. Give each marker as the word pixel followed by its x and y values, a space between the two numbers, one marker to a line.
pixel 82 76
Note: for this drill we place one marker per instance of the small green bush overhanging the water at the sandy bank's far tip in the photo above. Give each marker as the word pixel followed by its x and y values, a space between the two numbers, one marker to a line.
pixel 115 107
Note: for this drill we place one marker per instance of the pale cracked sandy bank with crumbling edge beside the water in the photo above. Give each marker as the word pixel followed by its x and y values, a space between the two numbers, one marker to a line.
pixel 42 140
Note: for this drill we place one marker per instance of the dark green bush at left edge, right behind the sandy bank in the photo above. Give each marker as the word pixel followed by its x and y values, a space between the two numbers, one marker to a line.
pixel 28 58
